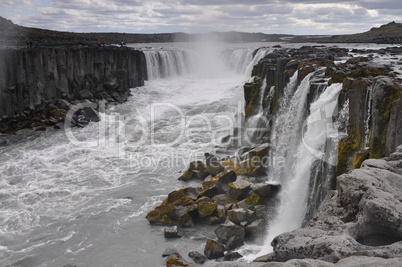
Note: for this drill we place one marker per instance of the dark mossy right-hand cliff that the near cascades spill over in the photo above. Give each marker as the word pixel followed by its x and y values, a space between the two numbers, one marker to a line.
pixel 371 94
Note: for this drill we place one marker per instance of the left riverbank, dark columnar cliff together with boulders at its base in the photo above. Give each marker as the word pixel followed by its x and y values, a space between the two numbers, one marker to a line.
pixel 39 86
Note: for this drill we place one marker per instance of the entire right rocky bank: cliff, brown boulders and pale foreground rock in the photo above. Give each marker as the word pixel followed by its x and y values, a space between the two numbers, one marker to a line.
pixel 231 195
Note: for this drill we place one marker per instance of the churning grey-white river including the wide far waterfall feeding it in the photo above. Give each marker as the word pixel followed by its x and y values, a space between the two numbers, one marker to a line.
pixel 85 202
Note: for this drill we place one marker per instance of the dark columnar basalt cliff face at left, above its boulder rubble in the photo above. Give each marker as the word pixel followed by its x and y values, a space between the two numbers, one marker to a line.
pixel 30 77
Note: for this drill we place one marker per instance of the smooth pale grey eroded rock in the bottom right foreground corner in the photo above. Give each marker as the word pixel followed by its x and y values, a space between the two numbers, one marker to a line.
pixel 362 218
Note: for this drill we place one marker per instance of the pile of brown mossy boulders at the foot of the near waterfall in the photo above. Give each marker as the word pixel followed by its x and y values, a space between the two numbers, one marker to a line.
pixel 233 195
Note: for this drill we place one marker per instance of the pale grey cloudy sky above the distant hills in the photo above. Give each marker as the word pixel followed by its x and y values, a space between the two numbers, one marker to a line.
pixel 191 16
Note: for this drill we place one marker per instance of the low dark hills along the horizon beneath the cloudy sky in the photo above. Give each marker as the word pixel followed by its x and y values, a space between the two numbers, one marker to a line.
pixel 15 35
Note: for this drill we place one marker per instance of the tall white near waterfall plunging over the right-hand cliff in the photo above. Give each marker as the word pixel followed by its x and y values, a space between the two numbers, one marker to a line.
pixel 298 141
